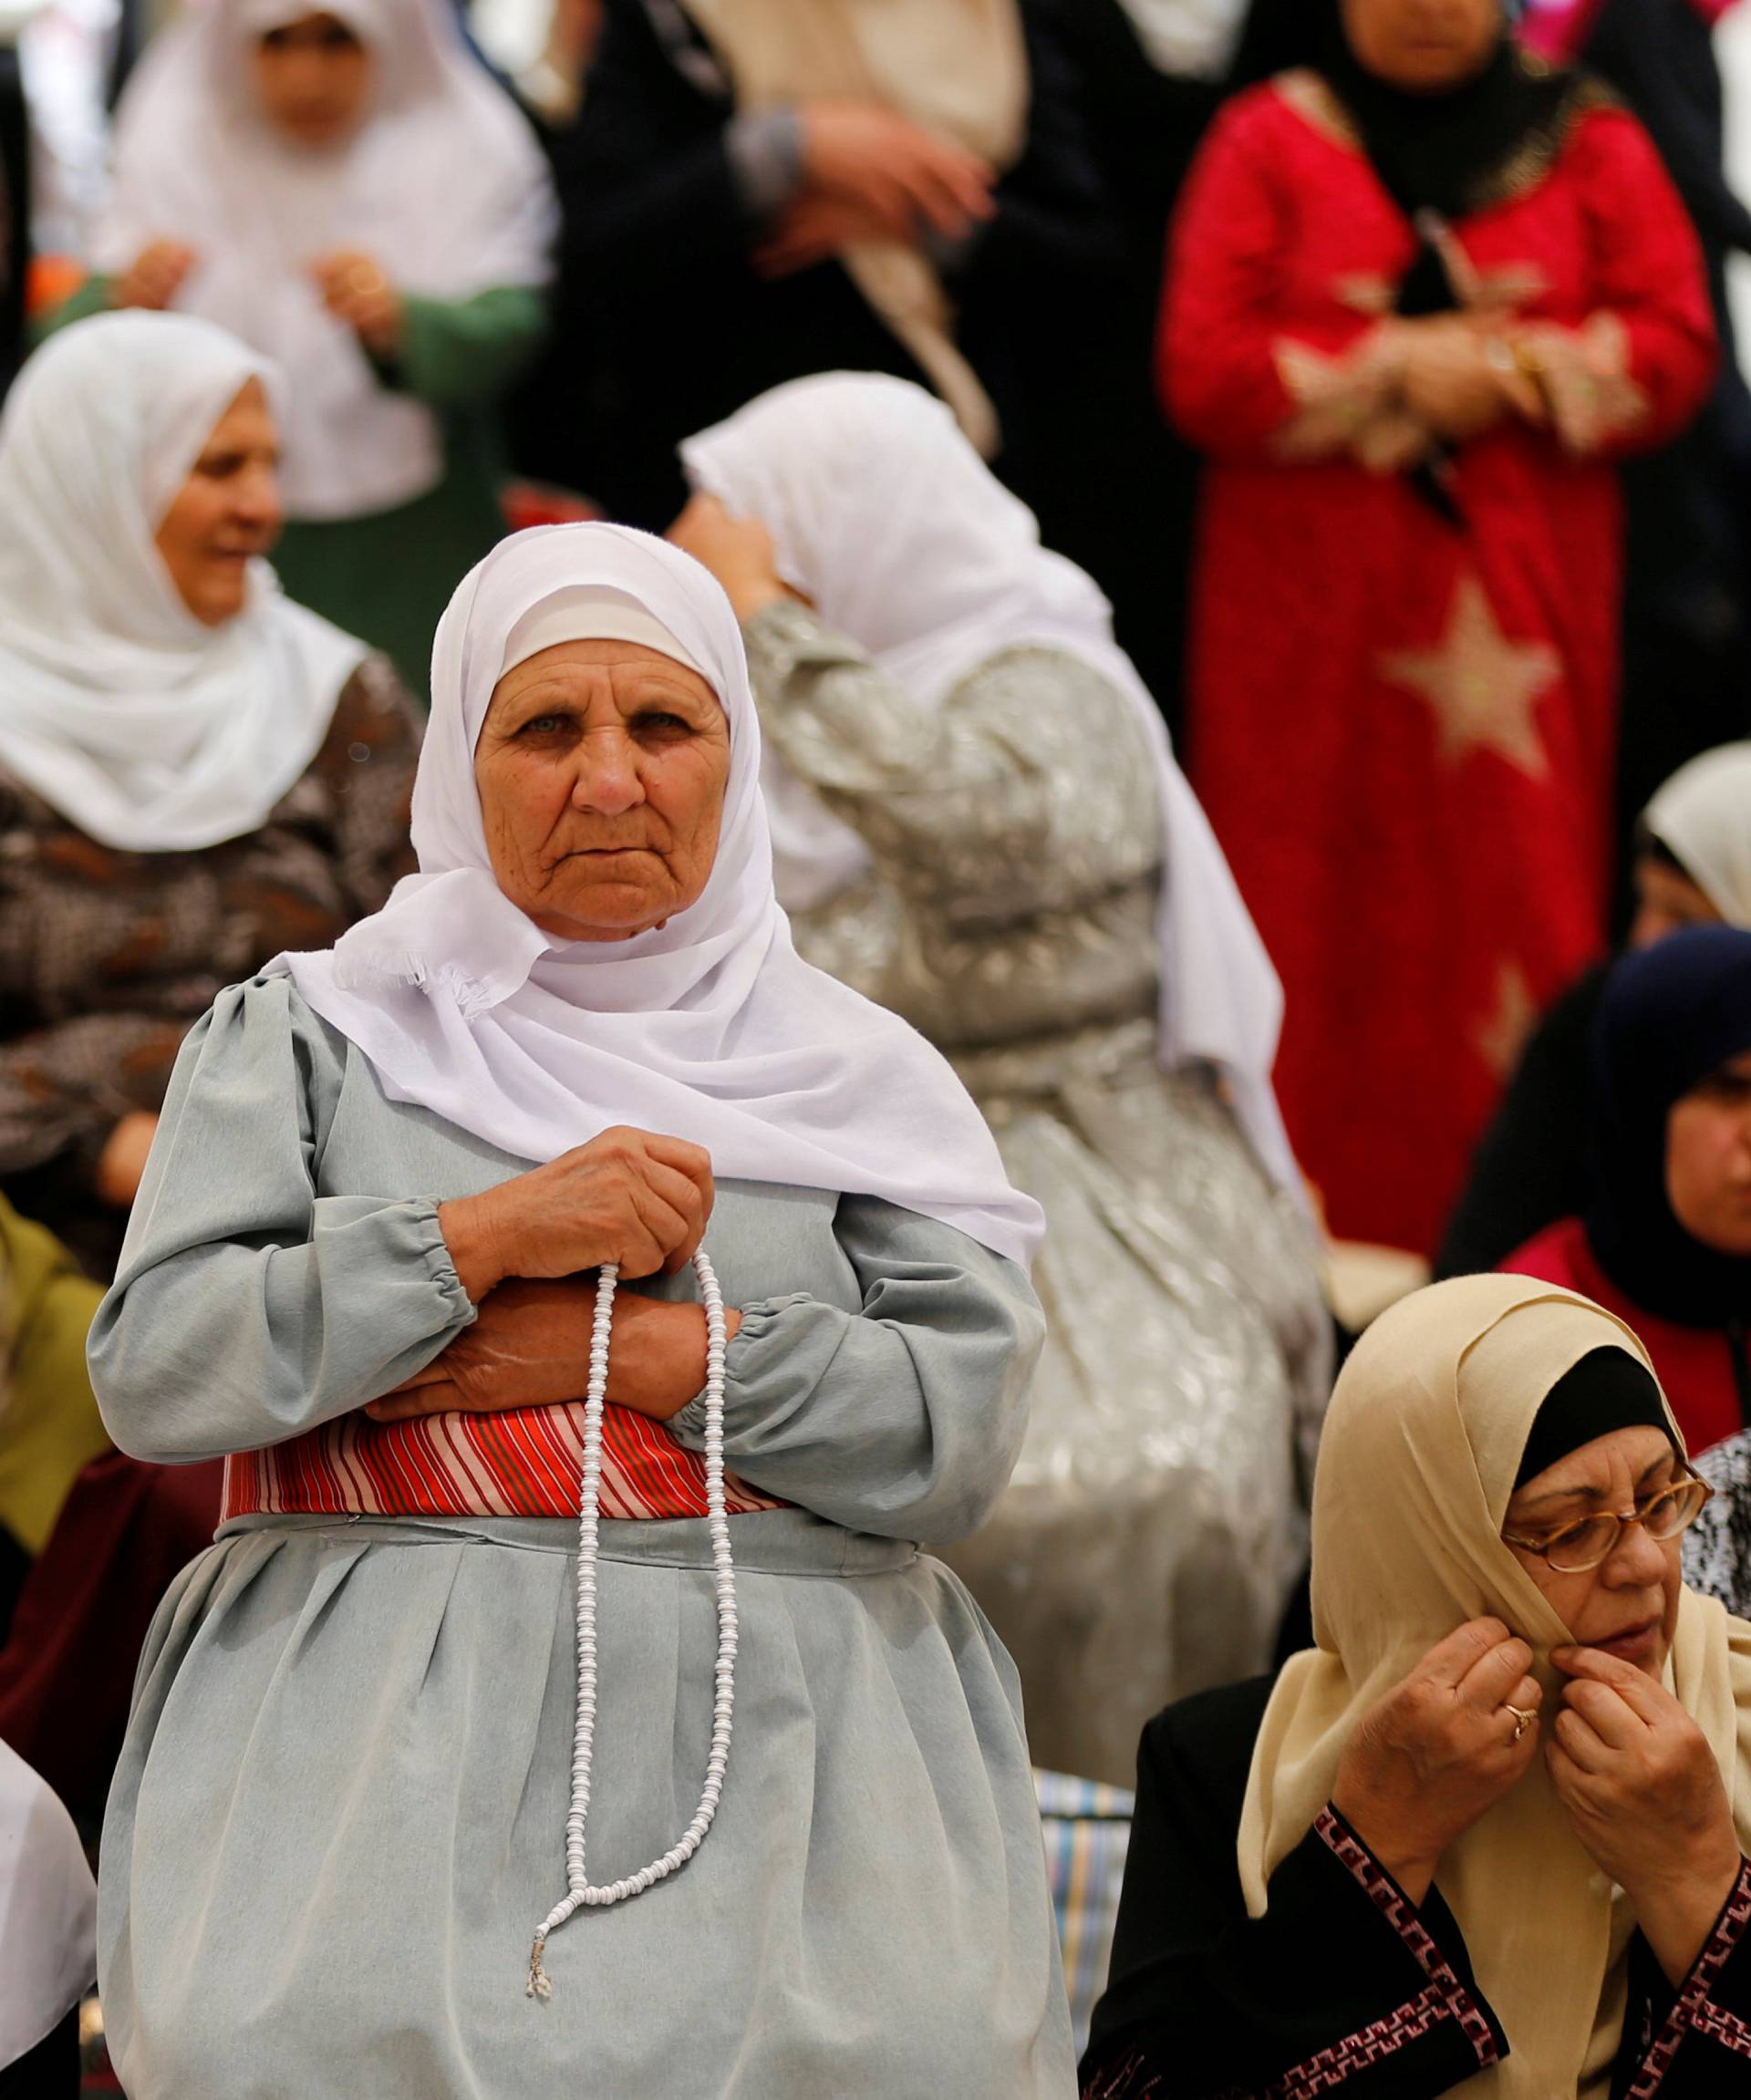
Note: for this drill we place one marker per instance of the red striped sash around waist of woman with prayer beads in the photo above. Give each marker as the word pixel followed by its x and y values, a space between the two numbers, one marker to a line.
pixel 520 1463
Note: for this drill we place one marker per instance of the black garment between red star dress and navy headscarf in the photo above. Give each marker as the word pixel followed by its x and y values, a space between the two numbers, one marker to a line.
pixel 1534 1164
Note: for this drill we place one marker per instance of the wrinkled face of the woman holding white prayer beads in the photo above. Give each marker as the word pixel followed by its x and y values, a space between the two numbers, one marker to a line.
pixel 602 772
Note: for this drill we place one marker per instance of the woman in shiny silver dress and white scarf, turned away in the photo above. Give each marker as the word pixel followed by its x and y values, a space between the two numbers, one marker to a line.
pixel 979 824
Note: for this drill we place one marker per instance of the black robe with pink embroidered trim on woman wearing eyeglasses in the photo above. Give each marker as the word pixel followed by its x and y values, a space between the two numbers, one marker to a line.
pixel 1343 1986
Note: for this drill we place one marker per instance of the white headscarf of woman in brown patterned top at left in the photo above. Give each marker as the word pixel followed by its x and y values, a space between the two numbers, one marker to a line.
pixel 142 726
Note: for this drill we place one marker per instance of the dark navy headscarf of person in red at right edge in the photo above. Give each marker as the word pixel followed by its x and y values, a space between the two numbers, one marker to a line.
pixel 1672 1015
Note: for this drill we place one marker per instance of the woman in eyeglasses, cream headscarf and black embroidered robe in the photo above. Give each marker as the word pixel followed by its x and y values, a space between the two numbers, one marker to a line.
pixel 1490 1834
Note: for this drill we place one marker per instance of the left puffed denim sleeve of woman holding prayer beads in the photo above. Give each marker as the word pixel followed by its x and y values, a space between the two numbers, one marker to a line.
pixel 249 1307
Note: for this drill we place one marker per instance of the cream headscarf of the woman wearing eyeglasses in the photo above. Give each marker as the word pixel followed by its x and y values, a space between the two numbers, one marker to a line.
pixel 1416 1469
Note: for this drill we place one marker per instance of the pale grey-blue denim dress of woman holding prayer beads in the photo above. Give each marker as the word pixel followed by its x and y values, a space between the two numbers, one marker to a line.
pixel 341 1807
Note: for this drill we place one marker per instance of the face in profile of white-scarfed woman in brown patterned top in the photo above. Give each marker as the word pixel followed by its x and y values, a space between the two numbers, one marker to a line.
pixel 226 513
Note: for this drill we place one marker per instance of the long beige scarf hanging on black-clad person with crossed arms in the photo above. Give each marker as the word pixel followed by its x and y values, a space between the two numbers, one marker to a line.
pixel 958 68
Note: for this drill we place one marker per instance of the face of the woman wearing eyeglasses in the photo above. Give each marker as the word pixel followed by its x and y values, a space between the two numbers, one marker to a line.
pixel 1628 1605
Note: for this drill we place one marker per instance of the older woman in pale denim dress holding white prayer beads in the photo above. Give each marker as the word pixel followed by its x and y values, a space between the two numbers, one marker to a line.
pixel 410 1700
